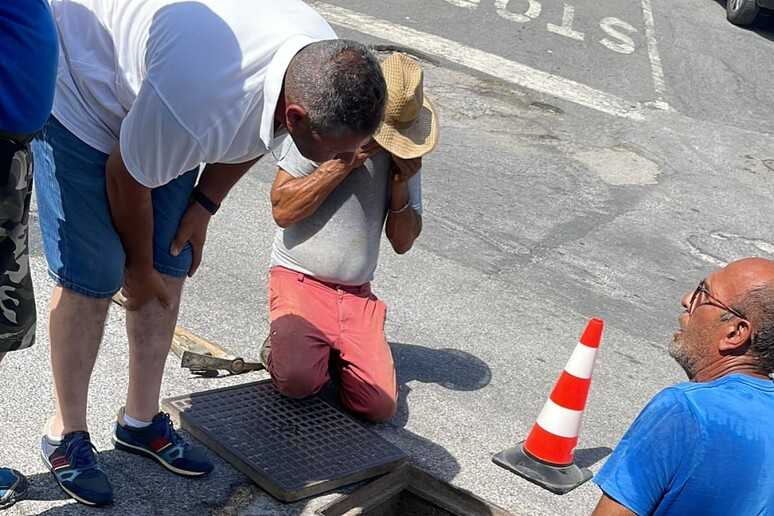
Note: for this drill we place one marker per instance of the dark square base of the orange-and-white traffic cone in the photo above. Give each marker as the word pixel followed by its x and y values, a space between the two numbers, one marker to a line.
pixel 557 479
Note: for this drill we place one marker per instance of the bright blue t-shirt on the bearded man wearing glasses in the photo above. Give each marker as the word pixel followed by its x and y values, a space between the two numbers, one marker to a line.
pixel 698 448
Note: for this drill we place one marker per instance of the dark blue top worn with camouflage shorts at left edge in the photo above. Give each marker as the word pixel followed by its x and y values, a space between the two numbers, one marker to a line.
pixel 28 62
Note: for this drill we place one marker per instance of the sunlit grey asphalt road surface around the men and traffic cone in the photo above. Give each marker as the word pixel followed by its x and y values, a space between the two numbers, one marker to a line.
pixel 540 212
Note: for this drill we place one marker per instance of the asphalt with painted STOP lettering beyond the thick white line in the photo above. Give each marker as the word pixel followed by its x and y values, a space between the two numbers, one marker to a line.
pixel 712 70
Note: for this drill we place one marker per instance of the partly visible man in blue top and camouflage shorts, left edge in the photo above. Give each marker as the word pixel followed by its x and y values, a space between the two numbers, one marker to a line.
pixel 28 62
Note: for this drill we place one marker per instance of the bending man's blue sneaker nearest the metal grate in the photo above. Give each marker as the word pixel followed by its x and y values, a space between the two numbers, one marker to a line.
pixel 161 442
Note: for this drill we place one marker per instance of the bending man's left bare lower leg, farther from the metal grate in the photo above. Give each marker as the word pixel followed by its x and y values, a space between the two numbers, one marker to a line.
pixel 75 327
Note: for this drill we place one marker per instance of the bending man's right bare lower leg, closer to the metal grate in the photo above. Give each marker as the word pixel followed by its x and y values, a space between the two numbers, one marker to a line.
pixel 150 330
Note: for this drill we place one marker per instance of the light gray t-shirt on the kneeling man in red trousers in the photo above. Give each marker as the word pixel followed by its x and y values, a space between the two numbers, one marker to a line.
pixel 339 243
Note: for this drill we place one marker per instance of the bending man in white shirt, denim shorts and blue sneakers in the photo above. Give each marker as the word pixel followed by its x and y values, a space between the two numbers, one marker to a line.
pixel 147 90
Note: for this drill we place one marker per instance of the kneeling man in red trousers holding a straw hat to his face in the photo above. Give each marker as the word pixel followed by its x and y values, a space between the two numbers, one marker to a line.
pixel 323 313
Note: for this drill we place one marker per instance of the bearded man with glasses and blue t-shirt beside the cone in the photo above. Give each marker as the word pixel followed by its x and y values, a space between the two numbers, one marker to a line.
pixel 707 447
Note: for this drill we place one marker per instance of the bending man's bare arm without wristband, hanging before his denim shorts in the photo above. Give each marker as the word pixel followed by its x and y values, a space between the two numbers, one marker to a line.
pixel 131 209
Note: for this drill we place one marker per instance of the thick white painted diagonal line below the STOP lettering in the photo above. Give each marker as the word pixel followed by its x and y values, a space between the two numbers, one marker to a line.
pixel 483 62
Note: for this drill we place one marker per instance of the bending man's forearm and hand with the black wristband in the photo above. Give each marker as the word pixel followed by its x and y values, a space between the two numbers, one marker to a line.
pixel 215 182
